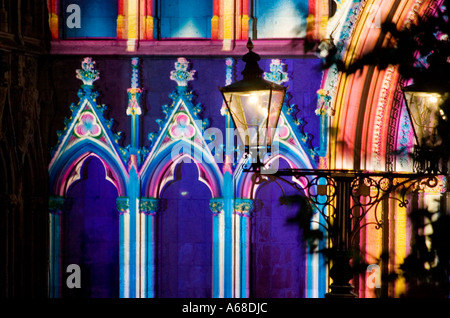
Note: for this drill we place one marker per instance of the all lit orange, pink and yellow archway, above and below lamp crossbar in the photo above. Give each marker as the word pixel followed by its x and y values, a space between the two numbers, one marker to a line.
pixel 368 114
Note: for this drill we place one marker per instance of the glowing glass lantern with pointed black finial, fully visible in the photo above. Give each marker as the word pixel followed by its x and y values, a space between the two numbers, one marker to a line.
pixel 255 106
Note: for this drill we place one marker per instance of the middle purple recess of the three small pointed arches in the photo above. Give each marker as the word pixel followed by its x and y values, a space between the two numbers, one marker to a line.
pixel 185 237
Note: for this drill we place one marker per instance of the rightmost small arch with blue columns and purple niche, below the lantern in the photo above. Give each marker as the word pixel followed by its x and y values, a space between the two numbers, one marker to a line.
pixel 268 213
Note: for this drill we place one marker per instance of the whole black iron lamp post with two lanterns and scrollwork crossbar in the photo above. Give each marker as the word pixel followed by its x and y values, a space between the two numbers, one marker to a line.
pixel 343 197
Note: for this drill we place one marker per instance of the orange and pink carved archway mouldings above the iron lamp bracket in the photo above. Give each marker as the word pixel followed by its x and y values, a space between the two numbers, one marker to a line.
pixel 365 103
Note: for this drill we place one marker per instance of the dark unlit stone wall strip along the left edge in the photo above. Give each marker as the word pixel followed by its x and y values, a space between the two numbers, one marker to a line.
pixel 25 98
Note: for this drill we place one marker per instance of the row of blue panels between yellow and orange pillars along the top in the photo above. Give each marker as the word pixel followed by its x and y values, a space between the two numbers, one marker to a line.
pixel 201 19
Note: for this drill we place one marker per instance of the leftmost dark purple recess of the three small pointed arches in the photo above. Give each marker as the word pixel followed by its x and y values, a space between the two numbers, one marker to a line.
pixel 91 234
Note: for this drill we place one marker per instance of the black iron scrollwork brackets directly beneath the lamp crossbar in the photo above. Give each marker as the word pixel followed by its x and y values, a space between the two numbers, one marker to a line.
pixel 367 190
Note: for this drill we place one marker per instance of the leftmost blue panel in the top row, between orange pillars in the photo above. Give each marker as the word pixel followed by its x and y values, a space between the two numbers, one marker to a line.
pixel 91 19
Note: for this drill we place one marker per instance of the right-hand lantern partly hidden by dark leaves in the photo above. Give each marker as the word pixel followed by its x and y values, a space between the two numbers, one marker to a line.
pixel 424 101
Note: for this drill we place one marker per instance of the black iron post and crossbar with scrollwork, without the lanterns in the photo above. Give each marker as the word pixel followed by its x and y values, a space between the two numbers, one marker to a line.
pixel 344 198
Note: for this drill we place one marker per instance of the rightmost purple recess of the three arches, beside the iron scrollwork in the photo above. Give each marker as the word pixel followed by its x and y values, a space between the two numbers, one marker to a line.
pixel 278 255
